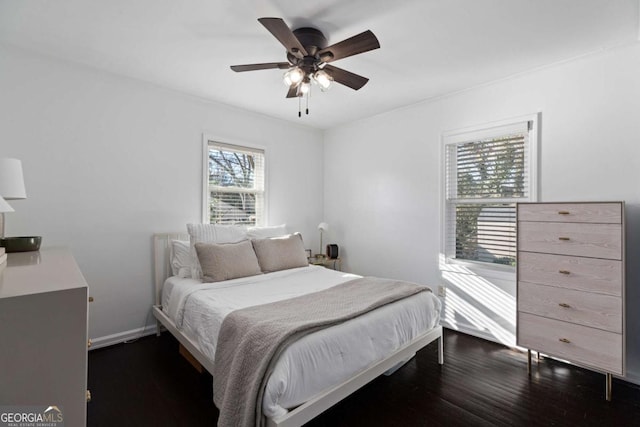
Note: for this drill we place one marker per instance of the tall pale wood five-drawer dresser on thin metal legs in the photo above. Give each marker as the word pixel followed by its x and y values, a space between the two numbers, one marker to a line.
pixel 571 287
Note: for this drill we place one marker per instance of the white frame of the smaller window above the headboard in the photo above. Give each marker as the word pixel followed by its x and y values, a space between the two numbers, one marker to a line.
pixel 241 145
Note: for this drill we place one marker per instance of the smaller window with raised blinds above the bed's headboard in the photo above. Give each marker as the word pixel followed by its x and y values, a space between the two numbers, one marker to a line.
pixel 234 184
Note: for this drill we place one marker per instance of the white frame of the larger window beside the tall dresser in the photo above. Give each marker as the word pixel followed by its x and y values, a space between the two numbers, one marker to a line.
pixel 476 133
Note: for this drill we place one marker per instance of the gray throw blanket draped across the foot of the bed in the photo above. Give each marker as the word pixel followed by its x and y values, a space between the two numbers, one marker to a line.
pixel 251 339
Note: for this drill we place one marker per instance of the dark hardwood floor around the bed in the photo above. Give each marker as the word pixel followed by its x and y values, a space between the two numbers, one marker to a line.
pixel 147 383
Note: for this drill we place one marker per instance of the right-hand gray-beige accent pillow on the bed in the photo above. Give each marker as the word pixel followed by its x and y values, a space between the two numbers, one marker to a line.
pixel 280 253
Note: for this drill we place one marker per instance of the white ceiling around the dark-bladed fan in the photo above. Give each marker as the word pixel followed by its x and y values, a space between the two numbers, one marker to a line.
pixel 428 47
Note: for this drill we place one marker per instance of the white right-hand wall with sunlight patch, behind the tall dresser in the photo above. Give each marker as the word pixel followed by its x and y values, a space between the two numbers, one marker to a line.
pixel 382 179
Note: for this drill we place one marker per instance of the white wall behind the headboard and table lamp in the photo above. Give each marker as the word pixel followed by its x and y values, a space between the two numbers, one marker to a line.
pixel 109 161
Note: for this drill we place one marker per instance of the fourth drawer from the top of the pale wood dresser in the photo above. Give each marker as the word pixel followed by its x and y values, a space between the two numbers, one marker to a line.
pixel 584 308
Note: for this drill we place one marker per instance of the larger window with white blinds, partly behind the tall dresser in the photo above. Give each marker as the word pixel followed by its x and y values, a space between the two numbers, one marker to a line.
pixel 487 170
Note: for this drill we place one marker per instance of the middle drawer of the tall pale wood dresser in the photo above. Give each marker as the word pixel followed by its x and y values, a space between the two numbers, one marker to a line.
pixel 579 273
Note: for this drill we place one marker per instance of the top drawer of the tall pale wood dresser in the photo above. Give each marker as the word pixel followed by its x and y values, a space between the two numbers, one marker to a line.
pixel 608 213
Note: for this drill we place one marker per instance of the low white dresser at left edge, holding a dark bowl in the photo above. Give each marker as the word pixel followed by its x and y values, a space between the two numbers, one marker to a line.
pixel 43 333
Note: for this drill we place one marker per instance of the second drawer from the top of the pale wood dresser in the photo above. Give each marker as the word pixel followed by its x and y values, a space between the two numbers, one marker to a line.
pixel 590 240
